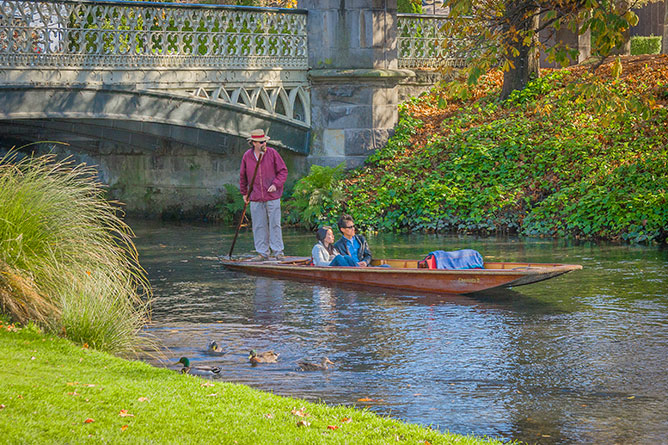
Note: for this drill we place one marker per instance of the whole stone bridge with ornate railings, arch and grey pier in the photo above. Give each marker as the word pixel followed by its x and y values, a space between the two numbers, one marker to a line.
pixel 162 95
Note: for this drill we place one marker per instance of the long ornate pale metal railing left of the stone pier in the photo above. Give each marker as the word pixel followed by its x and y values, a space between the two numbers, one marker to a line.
pixel 147 34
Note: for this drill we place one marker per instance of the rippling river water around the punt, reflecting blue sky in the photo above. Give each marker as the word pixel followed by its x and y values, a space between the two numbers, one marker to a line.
pixel 582 358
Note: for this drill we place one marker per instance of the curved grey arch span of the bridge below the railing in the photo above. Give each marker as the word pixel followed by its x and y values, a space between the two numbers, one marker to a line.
pixel 191 120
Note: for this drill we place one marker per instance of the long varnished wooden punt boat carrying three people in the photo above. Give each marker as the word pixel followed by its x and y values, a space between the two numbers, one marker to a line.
pixel 405 275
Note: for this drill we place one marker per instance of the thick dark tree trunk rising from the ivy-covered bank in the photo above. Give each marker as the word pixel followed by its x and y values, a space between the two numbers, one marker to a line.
pixel 526 63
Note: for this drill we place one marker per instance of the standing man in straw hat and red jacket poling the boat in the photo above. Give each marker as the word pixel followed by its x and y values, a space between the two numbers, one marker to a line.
pixel 265 197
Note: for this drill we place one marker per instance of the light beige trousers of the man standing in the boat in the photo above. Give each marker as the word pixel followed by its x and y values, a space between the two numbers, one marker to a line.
pixel 266 218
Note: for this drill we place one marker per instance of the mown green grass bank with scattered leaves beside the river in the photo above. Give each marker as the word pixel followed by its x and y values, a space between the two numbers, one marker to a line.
pixel 56 392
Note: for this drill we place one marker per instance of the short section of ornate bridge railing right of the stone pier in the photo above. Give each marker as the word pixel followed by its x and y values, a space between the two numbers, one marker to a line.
pixel 420 43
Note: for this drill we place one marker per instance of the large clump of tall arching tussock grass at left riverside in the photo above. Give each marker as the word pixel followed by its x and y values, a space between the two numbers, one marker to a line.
pixel 67 260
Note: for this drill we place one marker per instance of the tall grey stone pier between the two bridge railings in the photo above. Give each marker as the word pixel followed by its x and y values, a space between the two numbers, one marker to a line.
pixel 354 77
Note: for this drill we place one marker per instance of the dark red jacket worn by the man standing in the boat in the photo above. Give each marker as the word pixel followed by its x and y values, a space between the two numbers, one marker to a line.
pixel 272 170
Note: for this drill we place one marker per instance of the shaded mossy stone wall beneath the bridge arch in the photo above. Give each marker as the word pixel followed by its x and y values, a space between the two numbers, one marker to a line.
pixel 173 179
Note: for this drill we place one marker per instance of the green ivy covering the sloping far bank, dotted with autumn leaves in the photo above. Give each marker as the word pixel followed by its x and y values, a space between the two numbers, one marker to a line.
pixel 568 156
